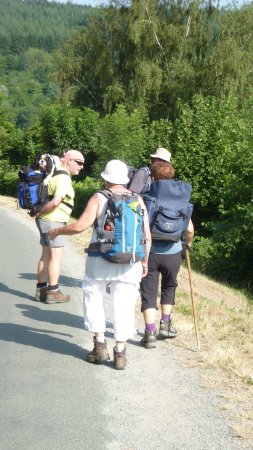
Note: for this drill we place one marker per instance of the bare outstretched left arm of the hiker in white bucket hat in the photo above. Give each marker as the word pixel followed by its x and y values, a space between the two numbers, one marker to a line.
pixel 87 218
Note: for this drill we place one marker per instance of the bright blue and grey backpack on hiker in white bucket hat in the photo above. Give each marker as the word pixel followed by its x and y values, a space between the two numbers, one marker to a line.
pixel 121 239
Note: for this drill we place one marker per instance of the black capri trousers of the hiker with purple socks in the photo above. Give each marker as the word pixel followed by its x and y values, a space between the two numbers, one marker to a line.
pixel 168 266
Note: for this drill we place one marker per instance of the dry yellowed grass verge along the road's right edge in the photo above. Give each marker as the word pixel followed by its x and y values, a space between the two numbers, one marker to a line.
pixel 224 319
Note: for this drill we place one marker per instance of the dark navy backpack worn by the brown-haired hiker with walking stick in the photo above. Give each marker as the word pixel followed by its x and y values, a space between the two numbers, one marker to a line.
pixel 169 209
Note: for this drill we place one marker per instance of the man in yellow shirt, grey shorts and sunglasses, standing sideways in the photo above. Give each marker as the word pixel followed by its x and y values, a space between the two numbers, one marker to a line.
pixel 56 213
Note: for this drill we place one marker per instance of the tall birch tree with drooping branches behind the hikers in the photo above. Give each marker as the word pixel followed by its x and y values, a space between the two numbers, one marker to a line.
pixel 151 54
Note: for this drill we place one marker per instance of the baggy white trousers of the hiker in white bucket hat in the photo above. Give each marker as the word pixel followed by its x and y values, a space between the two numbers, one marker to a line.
pixel 123 297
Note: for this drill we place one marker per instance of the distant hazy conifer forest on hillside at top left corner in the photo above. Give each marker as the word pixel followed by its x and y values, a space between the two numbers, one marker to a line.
pixel 29 23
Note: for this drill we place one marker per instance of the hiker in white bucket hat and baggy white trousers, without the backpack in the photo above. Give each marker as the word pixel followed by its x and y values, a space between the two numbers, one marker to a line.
pixel 124 278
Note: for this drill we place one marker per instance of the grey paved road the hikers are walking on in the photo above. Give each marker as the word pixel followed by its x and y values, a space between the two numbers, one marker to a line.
pixel 52 399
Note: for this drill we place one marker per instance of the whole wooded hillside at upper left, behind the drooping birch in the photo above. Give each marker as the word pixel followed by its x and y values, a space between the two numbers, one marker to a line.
pixel 29 32
